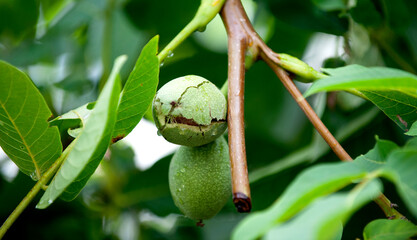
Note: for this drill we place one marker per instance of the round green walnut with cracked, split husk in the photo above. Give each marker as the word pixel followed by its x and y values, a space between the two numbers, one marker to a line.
pixel 190 111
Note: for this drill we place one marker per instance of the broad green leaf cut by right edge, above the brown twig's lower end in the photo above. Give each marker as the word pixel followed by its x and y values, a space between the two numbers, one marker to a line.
pixel 401 169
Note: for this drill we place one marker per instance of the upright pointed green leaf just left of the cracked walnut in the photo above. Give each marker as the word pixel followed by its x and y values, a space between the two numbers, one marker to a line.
pixel 139 91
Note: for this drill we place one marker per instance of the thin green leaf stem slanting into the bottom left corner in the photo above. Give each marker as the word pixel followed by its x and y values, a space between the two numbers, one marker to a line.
pixel 34 191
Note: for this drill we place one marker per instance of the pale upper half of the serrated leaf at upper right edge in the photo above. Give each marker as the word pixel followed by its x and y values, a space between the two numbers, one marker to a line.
pixel 363 78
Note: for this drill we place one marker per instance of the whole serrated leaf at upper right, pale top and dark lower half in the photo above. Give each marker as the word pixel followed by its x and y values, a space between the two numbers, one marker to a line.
pixel 392 90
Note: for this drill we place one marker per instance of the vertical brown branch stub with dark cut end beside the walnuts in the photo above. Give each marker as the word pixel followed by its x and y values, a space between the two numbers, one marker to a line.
pixel 237 47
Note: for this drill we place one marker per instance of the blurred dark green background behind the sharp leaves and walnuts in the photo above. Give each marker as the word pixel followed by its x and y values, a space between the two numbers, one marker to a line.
pixel 67 47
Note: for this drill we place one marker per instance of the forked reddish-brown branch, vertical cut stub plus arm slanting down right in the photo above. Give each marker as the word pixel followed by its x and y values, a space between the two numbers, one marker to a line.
pixel 241 36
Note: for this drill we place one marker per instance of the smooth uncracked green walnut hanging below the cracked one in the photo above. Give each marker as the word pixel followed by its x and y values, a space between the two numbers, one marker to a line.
pixel 200 179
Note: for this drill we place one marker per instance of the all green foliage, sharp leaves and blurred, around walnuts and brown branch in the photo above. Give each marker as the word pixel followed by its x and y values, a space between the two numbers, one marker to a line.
pixel 76 77
